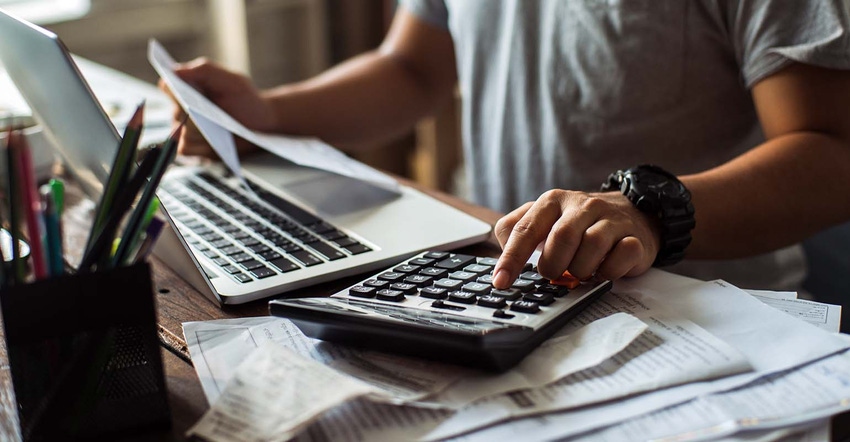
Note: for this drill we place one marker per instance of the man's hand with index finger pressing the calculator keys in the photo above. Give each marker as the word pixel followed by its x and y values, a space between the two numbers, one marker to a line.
pixel 587 234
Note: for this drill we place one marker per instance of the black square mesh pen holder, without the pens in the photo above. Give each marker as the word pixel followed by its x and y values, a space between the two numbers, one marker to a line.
pixel 84 355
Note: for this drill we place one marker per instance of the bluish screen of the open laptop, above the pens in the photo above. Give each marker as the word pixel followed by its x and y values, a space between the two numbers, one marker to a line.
pixel 61 100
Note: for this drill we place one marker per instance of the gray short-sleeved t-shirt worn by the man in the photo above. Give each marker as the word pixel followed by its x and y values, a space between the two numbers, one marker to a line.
pixel 560 93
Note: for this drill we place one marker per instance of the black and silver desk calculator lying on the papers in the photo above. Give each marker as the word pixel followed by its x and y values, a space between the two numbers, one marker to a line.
pixel 442 306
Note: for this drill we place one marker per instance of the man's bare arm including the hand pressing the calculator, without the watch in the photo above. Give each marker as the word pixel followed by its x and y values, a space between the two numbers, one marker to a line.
pixel 777 194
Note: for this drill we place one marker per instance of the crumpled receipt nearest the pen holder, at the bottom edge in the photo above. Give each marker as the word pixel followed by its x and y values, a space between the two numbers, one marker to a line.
pixel 273 395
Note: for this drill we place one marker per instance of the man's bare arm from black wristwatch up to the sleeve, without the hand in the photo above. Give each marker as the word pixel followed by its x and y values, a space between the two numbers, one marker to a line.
pixel 790 187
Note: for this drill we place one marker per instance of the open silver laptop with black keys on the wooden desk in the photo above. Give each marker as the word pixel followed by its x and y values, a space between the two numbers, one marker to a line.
pixel 297 227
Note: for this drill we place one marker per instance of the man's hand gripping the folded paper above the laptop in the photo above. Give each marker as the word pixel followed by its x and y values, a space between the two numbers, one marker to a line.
pixel 232 92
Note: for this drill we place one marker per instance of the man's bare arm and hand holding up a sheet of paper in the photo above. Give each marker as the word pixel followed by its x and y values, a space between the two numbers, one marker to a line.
pixel 372 97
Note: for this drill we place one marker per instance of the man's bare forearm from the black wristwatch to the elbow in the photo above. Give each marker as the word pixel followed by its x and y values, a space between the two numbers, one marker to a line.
pixel 774 195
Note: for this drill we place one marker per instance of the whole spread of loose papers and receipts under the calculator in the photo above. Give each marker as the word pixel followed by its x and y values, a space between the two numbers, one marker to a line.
pixel 659 357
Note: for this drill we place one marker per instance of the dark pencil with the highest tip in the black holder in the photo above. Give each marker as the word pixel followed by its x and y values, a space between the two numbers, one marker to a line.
pixel 121 167
